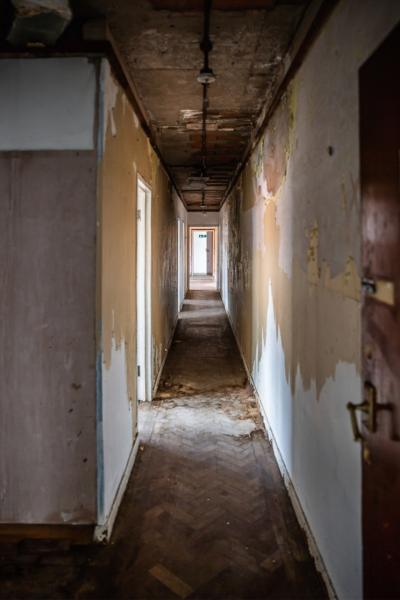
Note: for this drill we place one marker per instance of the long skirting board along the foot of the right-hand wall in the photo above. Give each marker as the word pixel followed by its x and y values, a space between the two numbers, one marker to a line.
pixel 298 509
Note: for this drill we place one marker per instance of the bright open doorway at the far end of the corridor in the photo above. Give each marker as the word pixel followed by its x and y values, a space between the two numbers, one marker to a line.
pixel 203 258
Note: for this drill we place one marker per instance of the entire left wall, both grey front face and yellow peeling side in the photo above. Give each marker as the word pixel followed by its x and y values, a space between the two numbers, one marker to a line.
pixel 71 149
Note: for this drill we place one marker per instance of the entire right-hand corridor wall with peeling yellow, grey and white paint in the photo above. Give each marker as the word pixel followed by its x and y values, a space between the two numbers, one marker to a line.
pixel 291 279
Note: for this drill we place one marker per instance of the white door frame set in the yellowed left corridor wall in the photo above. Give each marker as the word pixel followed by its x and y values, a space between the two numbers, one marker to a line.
pixel 143 219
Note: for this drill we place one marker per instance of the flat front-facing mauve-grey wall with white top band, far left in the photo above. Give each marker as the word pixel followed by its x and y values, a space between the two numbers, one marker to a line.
pixel 48 278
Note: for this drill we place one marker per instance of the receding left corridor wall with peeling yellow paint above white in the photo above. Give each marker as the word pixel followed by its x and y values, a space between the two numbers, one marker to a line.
pixel 124 154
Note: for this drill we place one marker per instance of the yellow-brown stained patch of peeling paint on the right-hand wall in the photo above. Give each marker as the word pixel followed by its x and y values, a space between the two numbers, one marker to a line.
pixel 255 241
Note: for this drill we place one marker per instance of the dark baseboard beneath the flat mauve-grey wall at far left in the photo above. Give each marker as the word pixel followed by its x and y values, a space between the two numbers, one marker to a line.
pixel 76 534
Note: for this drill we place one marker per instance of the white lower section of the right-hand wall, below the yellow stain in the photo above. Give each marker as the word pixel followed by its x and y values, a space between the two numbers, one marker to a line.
pixel 316 445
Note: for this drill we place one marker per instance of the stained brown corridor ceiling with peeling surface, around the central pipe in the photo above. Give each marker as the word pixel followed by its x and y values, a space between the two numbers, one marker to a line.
pixel 159 41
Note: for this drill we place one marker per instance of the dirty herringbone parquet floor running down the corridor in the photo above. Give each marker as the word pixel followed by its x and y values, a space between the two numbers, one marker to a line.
pixel 206 514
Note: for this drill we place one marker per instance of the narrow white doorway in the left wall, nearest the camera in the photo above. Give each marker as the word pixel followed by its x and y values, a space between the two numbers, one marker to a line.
pixel 143 293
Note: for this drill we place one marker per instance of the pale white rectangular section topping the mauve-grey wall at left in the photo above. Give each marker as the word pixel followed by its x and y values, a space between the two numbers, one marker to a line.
pixel 47 104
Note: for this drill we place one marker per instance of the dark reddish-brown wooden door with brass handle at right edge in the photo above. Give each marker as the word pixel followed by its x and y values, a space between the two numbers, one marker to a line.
pixel 380 183
